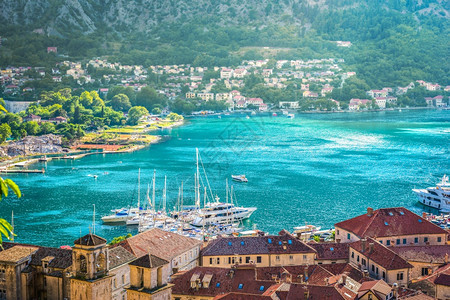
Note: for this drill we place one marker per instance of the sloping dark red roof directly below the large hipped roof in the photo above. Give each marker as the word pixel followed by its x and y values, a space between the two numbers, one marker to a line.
pixel 380 254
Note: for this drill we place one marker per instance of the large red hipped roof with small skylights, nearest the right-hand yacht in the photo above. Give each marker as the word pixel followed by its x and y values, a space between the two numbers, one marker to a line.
pixel 385 222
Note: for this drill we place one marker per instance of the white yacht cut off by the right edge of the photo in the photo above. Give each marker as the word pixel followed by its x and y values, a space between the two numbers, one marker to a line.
pixel 436 197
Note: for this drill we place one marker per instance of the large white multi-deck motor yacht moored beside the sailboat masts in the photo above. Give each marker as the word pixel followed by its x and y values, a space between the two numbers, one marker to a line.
pixel 221 213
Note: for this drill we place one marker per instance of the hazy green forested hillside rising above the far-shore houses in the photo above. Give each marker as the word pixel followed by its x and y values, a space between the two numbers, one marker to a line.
pixel 393 41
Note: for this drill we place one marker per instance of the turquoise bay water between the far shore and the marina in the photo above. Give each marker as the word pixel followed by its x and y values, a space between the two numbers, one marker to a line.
pixel 319 169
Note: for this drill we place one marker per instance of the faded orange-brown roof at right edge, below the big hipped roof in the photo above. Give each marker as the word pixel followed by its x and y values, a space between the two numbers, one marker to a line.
pixel 429 253
